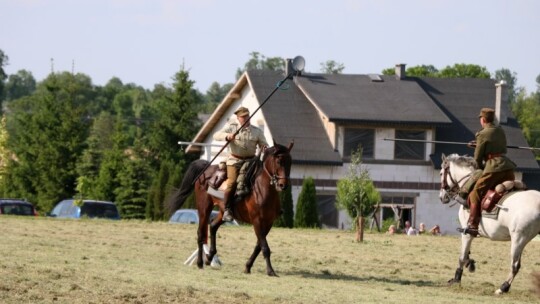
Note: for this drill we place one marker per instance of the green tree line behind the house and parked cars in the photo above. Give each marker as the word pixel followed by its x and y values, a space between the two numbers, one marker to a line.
pixel 65 137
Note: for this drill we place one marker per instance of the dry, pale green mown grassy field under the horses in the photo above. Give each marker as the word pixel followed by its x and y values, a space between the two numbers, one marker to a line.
pixel 44 260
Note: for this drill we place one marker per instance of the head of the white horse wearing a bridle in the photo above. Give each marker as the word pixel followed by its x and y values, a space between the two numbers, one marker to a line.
pixel 455 170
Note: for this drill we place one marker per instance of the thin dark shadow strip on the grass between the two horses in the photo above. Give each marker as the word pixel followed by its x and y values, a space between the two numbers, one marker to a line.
pixel 326 275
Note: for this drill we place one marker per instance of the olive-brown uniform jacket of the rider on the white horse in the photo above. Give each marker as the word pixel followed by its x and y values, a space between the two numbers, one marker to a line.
pixel 490 150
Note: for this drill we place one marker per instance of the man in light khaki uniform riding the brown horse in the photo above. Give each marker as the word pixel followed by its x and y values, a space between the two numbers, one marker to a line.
pixel 242 146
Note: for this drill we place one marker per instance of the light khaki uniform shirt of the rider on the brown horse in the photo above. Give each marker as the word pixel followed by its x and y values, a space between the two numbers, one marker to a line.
pixel 245 143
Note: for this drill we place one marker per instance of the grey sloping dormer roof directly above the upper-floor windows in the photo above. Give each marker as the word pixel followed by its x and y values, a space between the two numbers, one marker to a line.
pixel 359 99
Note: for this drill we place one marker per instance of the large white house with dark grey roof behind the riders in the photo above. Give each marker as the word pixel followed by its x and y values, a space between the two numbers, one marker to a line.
pixel 328 116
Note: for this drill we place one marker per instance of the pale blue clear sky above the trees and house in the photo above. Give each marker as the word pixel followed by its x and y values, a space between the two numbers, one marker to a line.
pixel 147 41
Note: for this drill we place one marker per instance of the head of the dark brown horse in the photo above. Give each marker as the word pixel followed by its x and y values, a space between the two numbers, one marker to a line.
pixel 277 164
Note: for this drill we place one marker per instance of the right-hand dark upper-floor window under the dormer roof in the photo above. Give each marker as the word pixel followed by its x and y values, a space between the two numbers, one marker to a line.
pixel 407 149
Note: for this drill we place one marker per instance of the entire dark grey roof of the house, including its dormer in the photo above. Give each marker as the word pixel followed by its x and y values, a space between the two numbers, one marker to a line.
pixel 296 111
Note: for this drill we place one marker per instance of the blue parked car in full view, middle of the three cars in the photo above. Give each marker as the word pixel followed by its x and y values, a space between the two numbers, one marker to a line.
pixel 72 208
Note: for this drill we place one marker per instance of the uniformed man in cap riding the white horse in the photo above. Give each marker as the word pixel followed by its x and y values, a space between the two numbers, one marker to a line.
pixel 489 153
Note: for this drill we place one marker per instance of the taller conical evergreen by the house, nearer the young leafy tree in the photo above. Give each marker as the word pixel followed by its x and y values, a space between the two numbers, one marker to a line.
pixel 307 215
